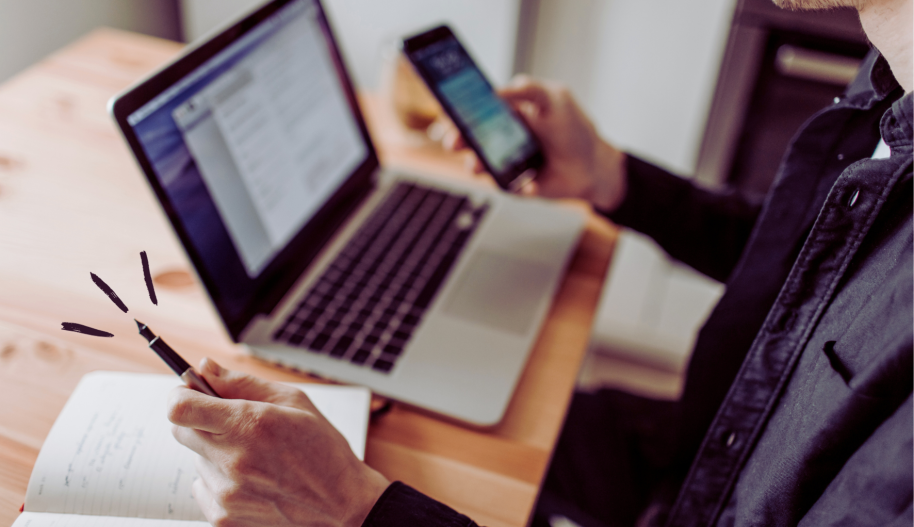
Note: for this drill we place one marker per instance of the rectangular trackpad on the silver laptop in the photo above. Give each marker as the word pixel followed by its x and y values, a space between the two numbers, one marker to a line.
pixel 499 291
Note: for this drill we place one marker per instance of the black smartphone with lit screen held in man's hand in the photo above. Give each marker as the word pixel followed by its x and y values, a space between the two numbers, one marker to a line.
pixel 505 145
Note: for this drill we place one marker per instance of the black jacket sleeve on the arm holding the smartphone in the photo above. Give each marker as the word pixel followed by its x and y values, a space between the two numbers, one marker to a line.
pixel 706 230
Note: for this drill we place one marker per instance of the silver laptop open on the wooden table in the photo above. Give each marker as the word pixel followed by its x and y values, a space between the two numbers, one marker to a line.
pixel 429 291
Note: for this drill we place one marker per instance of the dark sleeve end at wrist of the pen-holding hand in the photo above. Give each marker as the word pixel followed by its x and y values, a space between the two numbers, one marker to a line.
pixel 402 505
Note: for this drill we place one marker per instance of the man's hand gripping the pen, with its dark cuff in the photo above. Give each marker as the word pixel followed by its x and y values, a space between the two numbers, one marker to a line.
pixel 268 457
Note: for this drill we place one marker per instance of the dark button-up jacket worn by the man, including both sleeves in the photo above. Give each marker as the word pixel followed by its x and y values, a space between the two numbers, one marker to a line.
pixel 797 407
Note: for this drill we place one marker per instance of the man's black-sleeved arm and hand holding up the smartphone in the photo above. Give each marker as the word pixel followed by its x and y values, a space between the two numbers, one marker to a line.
pixel 704 229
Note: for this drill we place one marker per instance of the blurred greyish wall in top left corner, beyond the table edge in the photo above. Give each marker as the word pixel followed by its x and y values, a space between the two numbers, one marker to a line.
pixel 32 29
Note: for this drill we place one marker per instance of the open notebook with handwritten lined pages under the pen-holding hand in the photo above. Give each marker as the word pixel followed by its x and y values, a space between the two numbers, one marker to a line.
pixel 110 458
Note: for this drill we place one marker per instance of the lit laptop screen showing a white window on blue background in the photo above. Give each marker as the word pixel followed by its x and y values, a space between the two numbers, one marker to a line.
pixel 249 146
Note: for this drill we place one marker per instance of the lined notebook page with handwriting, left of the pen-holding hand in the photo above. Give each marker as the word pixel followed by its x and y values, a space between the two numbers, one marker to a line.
pixel 111 453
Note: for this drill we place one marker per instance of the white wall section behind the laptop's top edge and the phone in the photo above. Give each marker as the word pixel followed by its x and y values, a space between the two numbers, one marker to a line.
pixel 366 29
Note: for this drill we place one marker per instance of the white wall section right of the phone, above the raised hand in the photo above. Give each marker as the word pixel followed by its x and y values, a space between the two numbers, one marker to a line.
pixel 645 70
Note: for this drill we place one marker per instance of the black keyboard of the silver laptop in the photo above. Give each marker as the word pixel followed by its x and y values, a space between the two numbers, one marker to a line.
pixel 369 301
